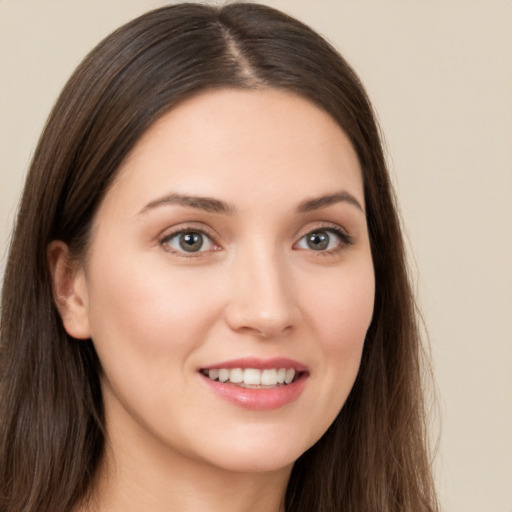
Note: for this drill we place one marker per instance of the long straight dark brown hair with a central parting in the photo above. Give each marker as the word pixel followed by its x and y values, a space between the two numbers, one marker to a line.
pixel 373 458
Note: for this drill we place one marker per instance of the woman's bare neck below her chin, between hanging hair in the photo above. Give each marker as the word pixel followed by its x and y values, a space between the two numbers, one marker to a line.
pixel 186 486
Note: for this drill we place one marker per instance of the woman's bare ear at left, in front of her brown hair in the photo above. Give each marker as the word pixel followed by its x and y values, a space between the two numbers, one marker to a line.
pixel 69 290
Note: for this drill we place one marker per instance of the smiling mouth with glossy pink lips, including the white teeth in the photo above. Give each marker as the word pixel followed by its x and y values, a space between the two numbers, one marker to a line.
pixel 257 384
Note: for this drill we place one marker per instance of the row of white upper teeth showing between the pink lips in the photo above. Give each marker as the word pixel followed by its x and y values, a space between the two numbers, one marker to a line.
pixel 252 377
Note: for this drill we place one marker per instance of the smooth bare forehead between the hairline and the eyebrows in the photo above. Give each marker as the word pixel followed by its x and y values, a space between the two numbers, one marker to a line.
pixel 232 143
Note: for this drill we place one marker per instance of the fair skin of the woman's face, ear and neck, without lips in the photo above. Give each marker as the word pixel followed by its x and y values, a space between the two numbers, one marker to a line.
pixel 157 314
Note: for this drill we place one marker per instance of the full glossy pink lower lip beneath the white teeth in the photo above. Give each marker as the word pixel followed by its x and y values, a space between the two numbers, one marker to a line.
pixel 258 399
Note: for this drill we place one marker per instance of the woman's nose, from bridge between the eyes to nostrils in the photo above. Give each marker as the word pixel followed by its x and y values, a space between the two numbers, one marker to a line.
pixel 262 299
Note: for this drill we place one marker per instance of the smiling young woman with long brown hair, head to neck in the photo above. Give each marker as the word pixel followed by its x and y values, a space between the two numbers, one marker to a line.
pixel 206 301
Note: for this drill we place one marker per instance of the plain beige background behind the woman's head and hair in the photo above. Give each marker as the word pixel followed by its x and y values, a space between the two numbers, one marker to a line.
pixel 440 75
